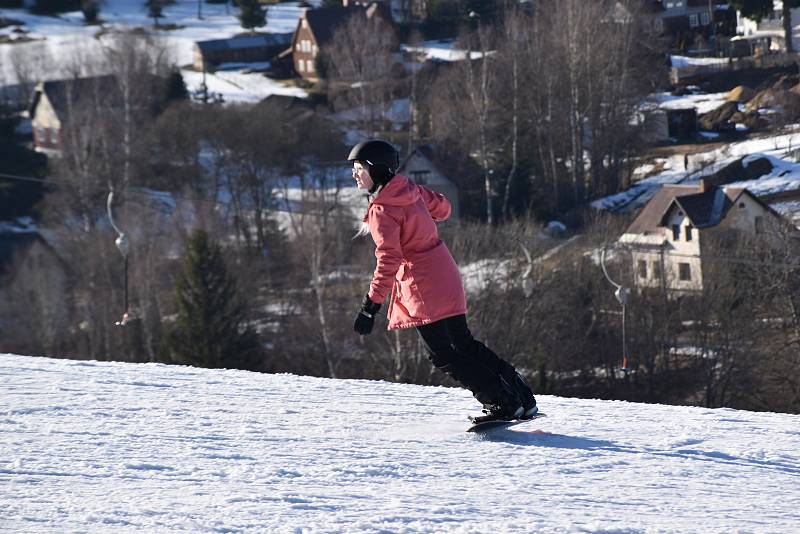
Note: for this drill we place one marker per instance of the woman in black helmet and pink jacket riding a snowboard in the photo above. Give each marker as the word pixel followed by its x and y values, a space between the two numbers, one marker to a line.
pixel 415 267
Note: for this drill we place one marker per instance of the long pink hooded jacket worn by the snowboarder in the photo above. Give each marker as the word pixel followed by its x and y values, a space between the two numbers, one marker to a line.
pixel 413 263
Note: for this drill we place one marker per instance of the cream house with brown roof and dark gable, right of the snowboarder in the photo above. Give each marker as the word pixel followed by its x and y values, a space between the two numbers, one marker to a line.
pixel 672 232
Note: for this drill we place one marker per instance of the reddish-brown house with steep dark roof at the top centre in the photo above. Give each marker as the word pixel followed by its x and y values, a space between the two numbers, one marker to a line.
pixel 316 28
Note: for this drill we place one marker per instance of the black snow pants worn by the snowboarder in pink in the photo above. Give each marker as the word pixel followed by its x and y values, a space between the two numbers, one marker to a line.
pixel 452 349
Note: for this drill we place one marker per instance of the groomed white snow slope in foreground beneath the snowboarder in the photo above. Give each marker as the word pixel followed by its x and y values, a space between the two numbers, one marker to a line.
pixel 101 447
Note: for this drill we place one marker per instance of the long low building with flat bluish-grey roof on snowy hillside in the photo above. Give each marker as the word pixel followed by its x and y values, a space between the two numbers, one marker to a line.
pixel 208 55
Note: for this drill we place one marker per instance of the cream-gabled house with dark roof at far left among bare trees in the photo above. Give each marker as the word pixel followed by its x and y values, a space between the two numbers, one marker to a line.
pixel 54 102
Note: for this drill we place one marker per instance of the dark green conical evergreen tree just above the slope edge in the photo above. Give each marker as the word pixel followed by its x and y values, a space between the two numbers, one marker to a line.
pixel 211 330
